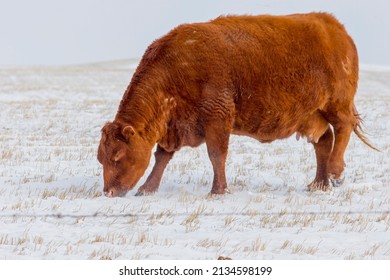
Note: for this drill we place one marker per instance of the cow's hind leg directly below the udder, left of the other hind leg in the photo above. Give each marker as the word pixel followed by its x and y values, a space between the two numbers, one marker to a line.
pixel 323 149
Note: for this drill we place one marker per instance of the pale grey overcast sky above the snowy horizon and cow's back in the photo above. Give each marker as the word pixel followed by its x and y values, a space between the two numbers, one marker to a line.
pixel 55 32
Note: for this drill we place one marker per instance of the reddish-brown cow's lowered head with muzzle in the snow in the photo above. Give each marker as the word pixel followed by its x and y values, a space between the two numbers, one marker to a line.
pixel 124 155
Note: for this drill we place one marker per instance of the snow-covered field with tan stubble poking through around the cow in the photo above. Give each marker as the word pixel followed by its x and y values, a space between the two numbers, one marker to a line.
pixel 51 183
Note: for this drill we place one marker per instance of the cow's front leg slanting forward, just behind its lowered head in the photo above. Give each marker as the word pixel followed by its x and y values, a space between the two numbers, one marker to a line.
pixel 153 181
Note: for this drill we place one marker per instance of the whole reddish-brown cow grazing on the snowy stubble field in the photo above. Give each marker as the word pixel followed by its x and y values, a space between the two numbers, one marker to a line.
pixel 266 77
